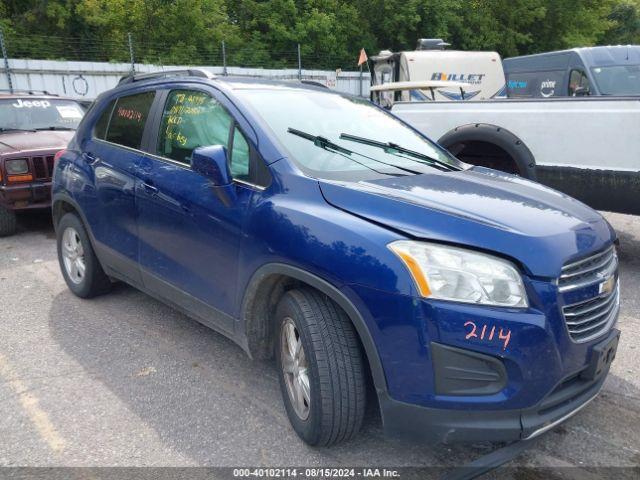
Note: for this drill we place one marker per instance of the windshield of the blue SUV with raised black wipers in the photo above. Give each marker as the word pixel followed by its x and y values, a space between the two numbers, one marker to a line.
pixel 327 116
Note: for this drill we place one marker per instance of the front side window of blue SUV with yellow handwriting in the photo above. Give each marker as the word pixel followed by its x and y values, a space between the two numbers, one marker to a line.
pixel 190 120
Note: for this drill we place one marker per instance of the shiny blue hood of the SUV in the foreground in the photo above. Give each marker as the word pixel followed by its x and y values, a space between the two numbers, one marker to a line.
pixel 482 208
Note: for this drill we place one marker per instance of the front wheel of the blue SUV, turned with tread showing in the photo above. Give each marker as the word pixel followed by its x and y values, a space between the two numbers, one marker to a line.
pixel 335 372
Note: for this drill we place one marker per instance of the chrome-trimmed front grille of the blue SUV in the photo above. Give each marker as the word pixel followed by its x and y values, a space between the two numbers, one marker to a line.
pixel 593 316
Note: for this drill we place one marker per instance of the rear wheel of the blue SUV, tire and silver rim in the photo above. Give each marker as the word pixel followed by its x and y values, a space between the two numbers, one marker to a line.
pixel 93 281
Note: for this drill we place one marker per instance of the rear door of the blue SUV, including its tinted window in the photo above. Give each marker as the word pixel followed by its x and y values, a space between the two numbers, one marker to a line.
pixel 114 155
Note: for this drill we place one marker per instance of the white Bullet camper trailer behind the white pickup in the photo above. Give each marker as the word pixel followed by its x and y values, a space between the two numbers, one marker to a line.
pixel 430 62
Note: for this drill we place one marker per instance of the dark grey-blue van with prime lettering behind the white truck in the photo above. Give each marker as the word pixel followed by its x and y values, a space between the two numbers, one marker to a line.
pixel 607 70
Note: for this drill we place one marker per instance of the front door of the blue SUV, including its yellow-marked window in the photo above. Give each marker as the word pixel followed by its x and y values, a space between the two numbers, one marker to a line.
pixel 189 238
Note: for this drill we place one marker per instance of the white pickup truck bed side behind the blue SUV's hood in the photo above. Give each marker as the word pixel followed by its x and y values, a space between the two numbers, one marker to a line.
pixel 587 147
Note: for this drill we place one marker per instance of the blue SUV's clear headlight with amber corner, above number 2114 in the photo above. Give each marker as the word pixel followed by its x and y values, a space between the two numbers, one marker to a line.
pixel 449 273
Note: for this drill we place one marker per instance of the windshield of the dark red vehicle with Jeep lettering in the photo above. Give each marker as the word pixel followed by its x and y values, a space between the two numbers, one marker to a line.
pixel 39 113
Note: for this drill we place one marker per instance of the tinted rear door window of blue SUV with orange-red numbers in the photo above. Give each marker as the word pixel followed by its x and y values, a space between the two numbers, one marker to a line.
pixel 129 118
